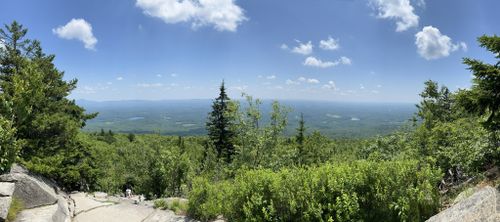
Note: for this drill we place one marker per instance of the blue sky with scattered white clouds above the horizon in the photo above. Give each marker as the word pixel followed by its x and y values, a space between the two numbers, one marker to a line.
pixel 340 50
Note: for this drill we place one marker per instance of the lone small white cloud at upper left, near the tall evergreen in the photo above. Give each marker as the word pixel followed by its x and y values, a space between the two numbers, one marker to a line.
pixel 77 29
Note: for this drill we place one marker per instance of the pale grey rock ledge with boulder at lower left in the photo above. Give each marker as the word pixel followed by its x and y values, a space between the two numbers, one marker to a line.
pixel 43 201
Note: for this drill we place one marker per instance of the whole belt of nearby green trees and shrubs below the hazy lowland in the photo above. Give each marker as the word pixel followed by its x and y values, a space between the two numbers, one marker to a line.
pixel 246 168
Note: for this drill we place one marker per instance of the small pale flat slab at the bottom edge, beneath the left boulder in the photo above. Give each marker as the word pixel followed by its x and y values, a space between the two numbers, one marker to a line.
pixel 39 214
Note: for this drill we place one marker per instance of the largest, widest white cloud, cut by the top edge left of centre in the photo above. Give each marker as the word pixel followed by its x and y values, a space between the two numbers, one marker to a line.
pixel 224 15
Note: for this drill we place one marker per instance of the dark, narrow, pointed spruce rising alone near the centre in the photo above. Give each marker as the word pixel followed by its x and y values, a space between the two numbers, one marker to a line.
pixel 220 125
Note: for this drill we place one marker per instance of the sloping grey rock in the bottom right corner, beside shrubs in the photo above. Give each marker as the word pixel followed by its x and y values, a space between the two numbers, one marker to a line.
pixel 480 206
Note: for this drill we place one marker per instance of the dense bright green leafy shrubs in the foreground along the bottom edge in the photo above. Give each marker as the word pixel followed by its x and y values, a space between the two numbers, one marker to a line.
pixel 362 190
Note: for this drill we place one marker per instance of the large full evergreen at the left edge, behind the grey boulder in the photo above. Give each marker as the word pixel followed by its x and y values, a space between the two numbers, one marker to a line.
pixel 47 122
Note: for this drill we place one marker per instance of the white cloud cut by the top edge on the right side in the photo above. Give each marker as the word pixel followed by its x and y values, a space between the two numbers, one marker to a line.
pixel 399 10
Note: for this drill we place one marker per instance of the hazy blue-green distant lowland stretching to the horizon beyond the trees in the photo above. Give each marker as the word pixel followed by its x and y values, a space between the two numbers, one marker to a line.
pixel 188 117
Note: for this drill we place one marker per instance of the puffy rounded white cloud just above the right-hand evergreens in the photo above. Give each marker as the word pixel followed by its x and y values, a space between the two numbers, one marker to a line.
pixel 431 44
